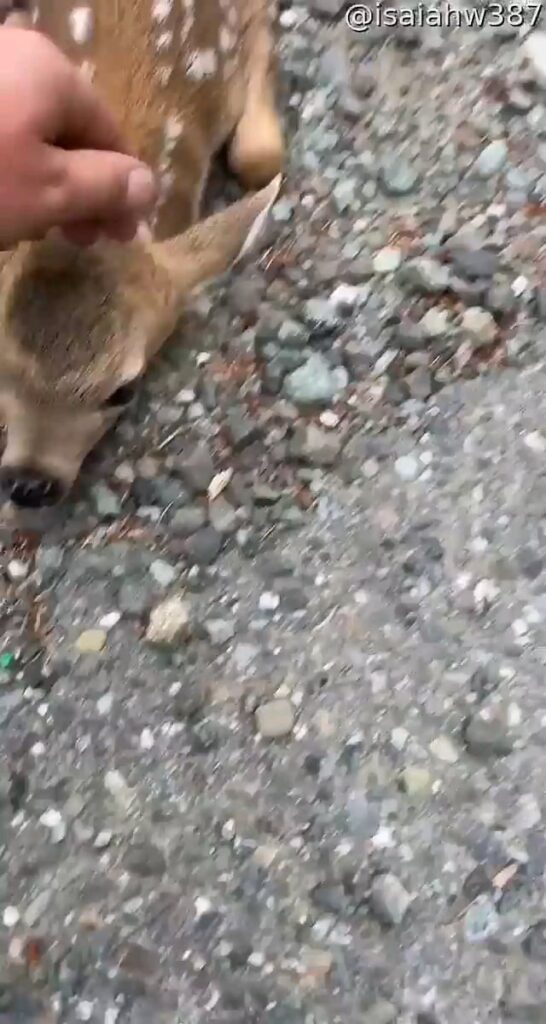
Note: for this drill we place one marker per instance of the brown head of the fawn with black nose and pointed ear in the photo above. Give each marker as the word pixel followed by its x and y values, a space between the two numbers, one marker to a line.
pixel 78 328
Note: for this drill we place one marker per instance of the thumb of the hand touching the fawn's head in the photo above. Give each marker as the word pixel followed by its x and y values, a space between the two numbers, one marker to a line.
pixel 98 186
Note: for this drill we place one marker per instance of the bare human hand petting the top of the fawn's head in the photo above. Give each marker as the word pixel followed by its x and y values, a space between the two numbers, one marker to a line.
pixel 63 162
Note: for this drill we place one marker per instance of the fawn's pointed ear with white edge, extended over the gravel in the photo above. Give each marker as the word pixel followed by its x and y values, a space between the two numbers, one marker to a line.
pixel 212 247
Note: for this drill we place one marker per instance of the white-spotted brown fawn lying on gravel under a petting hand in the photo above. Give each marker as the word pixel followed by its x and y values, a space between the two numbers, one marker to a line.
pixel 78 327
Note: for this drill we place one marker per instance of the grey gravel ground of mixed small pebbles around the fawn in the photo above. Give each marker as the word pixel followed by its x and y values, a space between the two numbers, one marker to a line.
pixel 212 812
